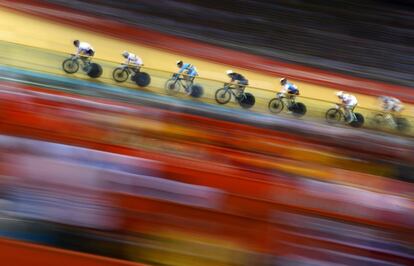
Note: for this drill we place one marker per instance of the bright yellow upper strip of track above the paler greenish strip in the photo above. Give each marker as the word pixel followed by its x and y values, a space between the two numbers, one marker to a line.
pixel 38 32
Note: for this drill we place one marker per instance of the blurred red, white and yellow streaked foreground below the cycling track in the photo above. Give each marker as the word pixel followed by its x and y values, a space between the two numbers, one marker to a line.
pixel 158 186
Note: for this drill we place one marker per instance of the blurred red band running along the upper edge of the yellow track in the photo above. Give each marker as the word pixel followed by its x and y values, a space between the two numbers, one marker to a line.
pixel 183 46
